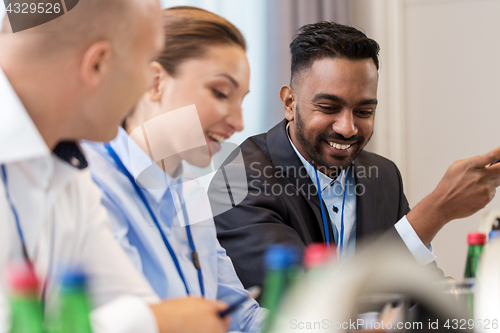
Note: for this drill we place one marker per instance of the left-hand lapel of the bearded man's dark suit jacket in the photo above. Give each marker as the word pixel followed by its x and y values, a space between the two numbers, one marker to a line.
pixel 283 156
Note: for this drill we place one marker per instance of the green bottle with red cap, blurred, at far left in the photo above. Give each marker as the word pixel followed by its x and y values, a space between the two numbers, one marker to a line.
pixel 26 309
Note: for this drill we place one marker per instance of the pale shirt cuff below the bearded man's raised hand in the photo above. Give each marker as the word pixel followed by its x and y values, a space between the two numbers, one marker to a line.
pixel 424 255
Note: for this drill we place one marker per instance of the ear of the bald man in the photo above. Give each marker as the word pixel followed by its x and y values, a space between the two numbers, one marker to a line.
pixel 96 63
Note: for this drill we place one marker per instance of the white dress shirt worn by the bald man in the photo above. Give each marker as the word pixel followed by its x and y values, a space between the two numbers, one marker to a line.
pixel 63 222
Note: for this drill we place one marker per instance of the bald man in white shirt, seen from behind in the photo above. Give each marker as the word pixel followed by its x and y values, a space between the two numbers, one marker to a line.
pixel 74 78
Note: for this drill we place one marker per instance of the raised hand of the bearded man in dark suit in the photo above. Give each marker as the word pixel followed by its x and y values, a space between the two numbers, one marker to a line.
pixel 467 186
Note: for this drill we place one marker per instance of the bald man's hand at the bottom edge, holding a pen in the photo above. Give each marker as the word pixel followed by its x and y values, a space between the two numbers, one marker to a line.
pixel 190 315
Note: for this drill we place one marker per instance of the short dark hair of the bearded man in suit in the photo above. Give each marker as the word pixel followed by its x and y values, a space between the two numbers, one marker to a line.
pixel 330 40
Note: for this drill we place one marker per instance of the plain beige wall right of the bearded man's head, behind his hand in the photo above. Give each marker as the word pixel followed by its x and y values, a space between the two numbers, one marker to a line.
pixel 438 88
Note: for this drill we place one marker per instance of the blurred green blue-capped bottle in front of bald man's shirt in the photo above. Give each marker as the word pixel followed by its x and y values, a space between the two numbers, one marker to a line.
pixel 75 305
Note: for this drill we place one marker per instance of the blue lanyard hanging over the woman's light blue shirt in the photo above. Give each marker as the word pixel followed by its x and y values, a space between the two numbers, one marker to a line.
pixel 139 192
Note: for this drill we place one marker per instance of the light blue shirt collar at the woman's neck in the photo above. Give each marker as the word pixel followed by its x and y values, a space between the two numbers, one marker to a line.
pixel 147 174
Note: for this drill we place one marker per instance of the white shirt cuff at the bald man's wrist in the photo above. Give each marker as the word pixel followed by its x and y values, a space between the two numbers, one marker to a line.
pixel 126 314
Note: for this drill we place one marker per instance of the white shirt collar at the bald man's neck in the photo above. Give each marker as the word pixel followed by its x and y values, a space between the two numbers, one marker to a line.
pixel 19 137
